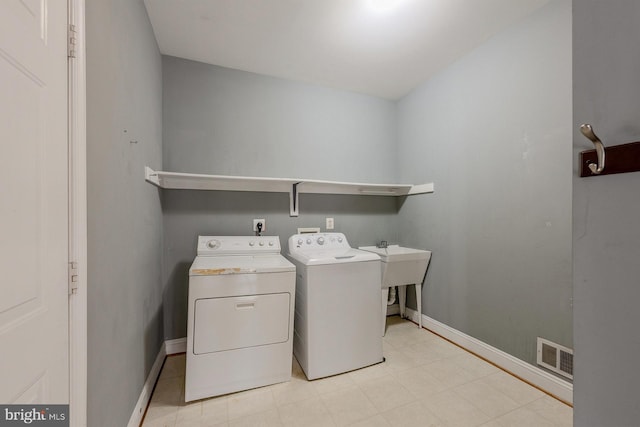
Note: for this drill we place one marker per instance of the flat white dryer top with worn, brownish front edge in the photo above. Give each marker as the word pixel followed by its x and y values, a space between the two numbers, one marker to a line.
pixel 239 264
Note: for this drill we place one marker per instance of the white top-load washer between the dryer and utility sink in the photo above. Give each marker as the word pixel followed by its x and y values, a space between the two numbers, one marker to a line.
pixel 337 318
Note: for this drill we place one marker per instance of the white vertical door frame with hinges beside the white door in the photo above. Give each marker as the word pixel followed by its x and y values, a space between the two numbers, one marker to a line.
pixel 77 136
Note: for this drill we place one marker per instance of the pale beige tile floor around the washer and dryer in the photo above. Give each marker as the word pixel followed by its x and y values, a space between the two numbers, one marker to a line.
pixel 425 381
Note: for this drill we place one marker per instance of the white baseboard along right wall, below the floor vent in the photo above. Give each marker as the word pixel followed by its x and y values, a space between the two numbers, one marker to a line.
pixel 551 384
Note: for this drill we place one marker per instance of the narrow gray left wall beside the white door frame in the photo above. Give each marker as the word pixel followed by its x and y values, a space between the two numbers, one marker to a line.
pixel 124 103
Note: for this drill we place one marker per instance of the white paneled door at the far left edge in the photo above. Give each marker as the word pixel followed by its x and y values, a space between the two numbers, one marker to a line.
pixel 33 202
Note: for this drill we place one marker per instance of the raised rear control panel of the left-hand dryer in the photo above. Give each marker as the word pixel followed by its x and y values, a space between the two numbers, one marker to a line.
pixel 237 245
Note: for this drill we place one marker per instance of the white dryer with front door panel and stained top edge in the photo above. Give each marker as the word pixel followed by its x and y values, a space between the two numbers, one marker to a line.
pixel 240 316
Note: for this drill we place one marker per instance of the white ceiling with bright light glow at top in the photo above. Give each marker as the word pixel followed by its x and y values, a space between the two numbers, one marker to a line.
pixel 383 48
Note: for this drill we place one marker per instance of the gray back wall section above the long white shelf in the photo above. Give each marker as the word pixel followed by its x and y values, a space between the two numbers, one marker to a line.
pixel 228 122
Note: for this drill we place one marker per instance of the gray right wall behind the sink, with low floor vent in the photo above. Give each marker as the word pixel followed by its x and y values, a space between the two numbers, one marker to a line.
pixel 493 132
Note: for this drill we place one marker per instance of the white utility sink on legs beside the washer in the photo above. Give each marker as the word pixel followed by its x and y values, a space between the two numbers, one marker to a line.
pixel 401 267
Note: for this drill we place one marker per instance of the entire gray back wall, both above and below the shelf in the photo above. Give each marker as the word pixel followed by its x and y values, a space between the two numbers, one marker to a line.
pixel 227 122
